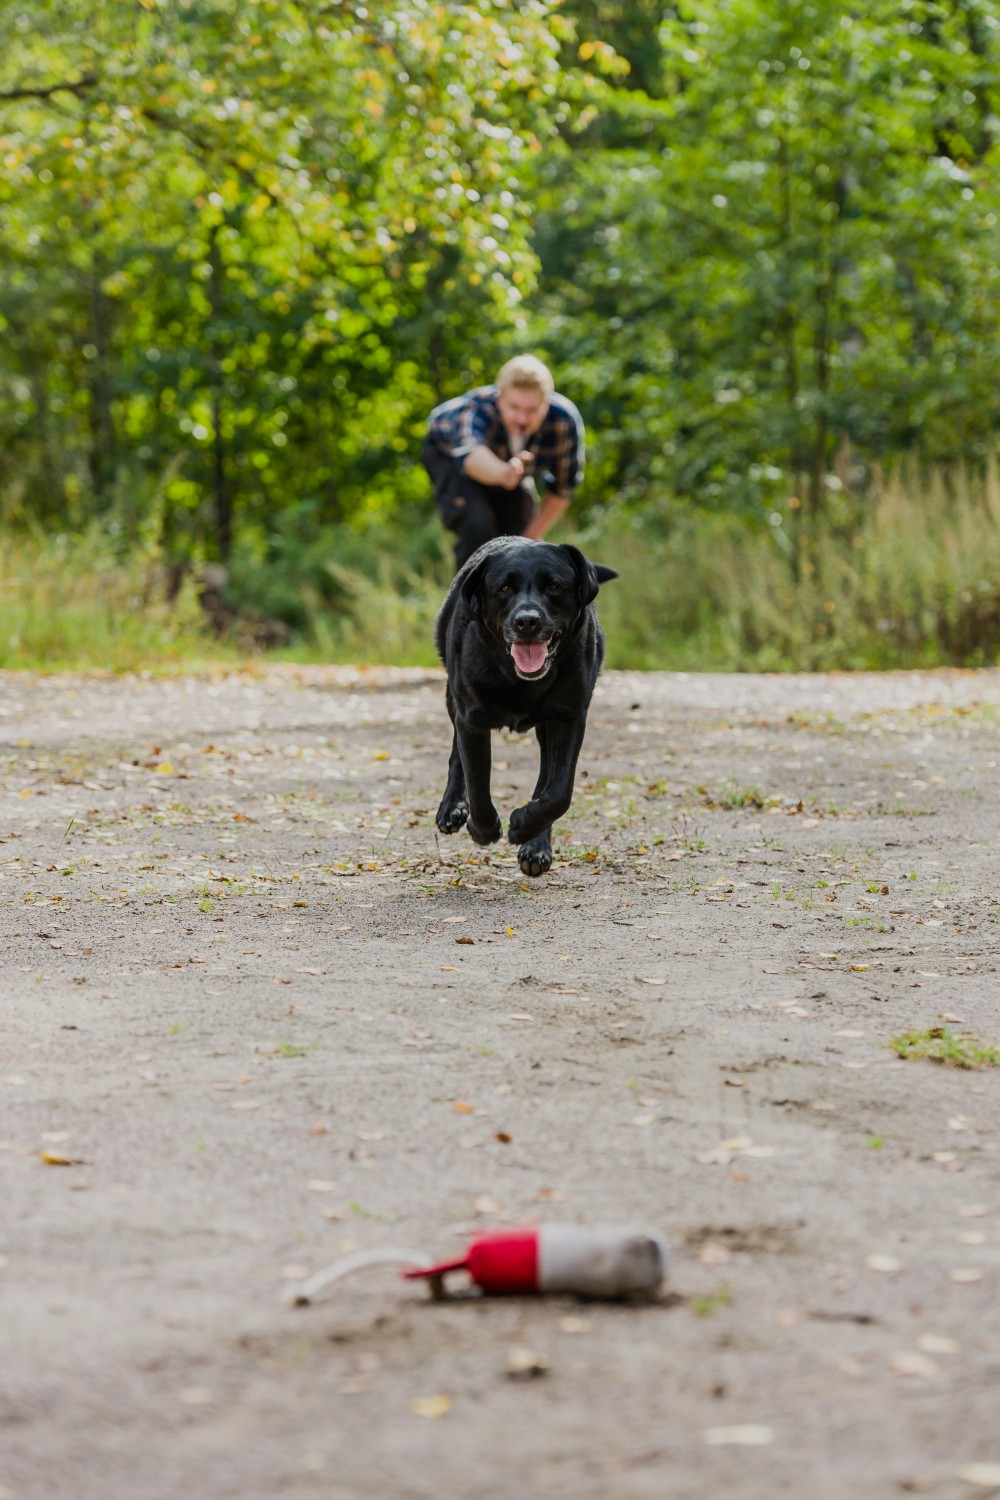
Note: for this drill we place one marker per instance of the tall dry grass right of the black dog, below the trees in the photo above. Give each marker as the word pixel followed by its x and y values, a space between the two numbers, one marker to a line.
pixel 912 581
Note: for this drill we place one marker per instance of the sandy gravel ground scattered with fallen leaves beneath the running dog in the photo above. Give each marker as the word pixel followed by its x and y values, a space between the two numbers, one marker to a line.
pixel 241 995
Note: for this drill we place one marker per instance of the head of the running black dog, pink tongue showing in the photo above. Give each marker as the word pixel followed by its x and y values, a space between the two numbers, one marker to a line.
pixel 531 596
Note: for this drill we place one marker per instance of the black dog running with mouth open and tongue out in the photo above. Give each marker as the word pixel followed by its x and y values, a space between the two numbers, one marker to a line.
pixel 522 647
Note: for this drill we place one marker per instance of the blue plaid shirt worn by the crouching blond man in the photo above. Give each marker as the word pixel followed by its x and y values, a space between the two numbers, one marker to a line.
pixel 475 421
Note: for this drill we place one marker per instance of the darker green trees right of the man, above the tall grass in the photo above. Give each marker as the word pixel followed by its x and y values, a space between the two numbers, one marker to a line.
pixel 783 266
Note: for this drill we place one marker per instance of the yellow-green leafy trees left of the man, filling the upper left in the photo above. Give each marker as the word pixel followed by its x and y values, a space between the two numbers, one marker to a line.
pixel 245 248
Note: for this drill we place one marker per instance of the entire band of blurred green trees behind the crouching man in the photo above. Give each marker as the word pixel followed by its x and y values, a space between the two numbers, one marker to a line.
pixel 247 245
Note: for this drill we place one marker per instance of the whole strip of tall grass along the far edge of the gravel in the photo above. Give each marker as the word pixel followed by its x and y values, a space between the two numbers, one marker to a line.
pixel 909 578
